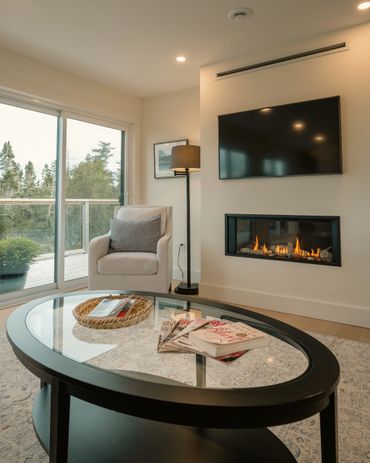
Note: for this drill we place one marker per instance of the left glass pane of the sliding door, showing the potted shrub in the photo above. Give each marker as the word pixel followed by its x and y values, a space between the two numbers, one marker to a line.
pixel 28 144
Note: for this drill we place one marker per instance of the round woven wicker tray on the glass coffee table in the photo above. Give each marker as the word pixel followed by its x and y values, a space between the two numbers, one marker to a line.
pixel 140 311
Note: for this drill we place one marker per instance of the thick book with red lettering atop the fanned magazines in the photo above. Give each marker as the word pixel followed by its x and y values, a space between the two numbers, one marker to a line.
pixel 227 338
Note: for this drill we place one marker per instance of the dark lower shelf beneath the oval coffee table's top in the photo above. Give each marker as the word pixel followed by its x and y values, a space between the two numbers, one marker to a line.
pixel 100 435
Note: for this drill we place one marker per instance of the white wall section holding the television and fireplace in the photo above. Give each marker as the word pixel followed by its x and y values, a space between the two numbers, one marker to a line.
pixel 335 293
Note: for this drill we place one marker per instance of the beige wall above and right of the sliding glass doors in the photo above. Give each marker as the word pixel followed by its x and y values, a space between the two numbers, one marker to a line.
pixel 33 79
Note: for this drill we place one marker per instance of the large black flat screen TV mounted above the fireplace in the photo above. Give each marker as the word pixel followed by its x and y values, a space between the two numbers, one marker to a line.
pixel 293 139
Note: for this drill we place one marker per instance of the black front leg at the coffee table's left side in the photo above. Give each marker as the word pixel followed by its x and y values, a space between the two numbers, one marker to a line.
pixel 59 422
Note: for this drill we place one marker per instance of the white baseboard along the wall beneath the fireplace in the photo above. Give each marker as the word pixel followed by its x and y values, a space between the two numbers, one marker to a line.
pixel 338 313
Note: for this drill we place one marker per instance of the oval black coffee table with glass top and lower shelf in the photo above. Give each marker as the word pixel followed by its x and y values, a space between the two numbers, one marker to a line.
pixel 109 396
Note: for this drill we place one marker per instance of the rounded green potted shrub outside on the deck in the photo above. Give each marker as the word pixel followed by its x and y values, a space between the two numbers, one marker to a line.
pixel 17 254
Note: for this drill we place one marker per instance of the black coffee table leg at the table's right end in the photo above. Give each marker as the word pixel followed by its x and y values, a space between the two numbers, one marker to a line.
pixel 328 430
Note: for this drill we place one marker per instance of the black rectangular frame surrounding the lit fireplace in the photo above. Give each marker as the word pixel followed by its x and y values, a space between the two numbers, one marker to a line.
pixel 231 236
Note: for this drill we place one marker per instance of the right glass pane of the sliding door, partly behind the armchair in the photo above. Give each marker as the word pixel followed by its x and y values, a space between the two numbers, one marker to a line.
pixel 93 186
